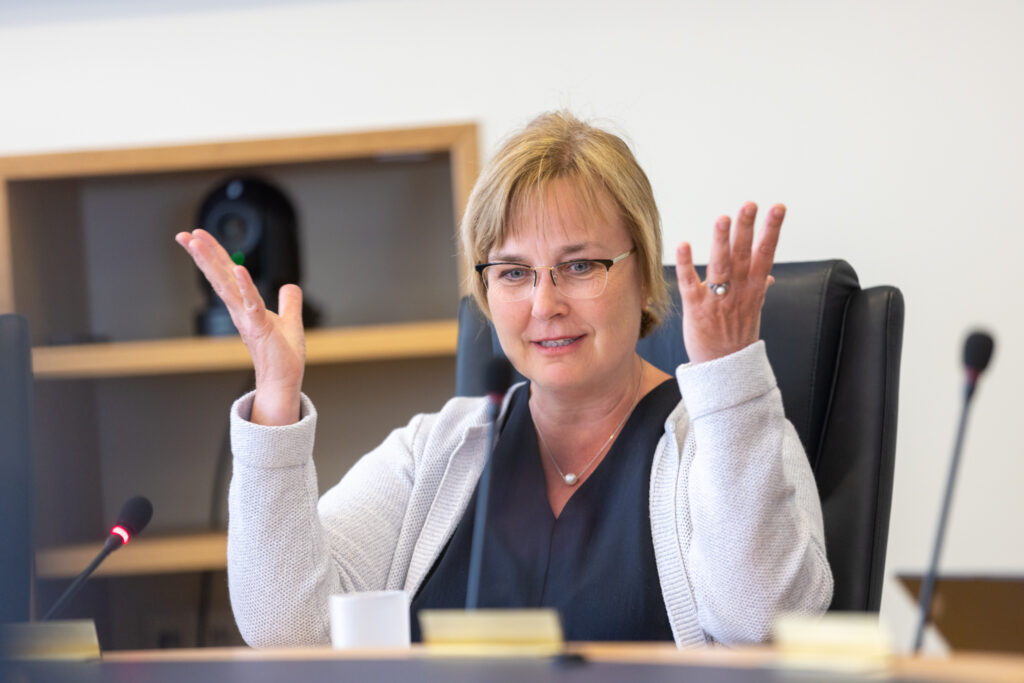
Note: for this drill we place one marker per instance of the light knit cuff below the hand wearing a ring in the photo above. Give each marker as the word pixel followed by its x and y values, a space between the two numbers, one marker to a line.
pixel 722 383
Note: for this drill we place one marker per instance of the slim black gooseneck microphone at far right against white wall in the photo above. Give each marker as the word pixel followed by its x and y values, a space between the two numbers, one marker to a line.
pixel 977 354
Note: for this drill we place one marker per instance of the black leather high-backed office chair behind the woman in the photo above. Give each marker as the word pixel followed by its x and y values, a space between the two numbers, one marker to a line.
pixel 836 353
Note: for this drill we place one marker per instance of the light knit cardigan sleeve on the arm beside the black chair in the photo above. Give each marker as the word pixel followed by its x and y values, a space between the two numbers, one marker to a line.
pixel 757 537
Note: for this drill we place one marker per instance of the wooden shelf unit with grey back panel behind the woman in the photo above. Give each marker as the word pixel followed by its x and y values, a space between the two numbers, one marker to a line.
pixel 110 413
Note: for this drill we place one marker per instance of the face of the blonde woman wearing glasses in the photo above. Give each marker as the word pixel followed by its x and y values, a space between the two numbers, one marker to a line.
pixel 563 345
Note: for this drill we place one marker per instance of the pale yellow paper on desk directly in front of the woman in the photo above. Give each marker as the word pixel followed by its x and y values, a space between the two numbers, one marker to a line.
pixel 492 632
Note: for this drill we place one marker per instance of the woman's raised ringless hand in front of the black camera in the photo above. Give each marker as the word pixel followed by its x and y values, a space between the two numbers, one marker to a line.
pixel 276 343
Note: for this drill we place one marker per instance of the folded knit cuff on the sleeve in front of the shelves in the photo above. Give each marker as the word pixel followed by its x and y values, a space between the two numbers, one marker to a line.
pixel 264 447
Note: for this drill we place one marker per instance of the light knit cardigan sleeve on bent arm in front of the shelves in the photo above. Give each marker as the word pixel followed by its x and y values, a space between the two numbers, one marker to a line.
pixel 287 552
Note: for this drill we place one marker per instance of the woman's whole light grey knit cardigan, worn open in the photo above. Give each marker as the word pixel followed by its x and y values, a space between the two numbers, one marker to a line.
pixel 736 518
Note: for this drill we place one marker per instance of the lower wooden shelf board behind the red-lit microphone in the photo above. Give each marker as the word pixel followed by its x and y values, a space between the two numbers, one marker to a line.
pixel 196 552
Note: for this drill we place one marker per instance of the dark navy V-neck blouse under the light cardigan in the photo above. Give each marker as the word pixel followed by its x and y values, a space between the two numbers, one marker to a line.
pixel 594 563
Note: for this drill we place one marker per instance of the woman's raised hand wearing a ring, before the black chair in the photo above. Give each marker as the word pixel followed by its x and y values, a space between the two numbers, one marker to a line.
pixel 716 325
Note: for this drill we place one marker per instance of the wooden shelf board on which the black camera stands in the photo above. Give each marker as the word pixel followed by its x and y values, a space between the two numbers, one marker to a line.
pixel 401 340
